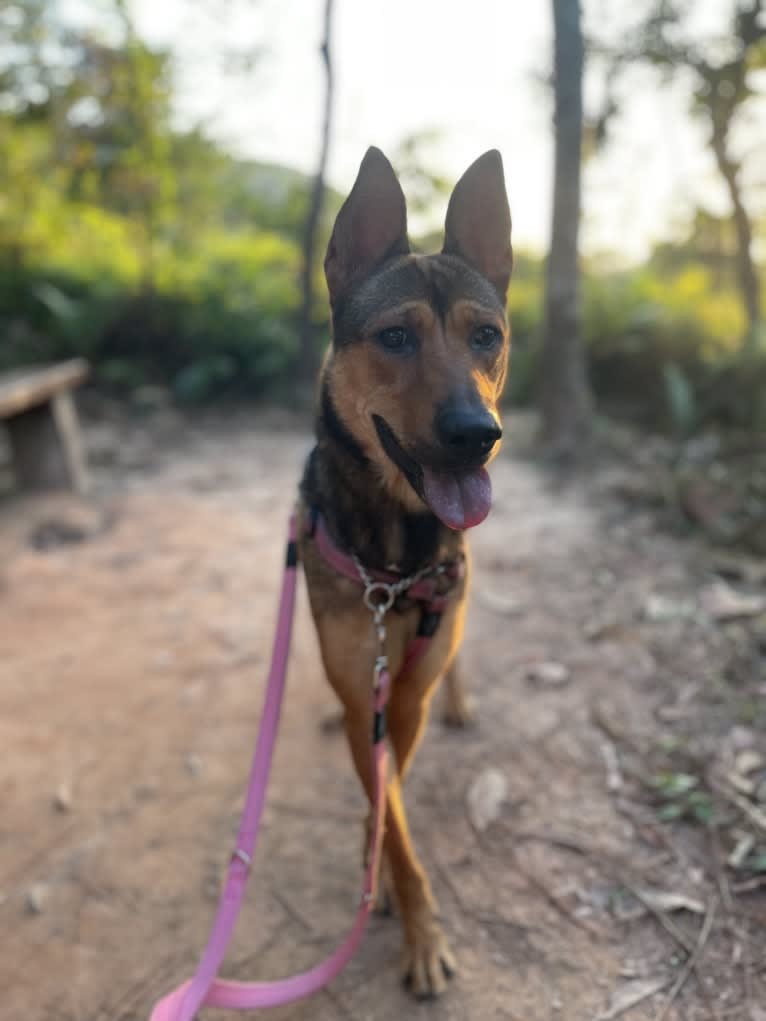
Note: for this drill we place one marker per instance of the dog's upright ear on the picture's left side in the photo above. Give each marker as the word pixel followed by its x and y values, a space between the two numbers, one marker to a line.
pixel 371 226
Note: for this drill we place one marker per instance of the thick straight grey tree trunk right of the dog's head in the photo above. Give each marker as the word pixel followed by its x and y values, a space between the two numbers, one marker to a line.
pixel 565 397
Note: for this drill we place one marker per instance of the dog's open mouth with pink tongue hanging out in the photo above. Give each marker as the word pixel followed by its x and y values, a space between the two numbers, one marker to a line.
pixel 460 499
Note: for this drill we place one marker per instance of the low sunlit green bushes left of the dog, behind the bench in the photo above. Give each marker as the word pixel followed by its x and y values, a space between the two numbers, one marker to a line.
pixel 218 321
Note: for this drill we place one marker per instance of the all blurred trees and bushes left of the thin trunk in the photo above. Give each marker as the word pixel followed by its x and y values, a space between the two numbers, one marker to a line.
pixel 147 251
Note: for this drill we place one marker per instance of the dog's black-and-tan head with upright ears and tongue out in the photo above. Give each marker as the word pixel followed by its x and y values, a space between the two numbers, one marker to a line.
pixel 420 343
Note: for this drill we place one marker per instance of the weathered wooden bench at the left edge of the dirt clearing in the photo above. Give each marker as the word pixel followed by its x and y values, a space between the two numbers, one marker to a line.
pixel 37 405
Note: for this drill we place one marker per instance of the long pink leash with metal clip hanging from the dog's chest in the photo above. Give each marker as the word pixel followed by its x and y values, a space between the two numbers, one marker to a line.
pixel 206 990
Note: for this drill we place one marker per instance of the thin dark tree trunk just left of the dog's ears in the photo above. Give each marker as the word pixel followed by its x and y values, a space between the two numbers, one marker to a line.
pixel 309 348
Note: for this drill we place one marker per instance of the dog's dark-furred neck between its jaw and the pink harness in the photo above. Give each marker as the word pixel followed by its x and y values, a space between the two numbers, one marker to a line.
pixel 360 514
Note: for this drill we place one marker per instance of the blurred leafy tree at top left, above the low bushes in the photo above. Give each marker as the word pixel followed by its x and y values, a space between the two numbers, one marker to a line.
pixel 91 116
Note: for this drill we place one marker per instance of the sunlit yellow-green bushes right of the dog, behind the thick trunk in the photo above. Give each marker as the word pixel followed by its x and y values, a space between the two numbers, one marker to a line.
pixel 664 344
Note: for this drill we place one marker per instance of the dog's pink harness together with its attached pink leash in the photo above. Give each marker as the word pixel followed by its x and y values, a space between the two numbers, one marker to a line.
pixel 381 592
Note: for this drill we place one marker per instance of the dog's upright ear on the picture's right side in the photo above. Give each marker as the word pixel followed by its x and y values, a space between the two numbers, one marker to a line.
pixel 478 221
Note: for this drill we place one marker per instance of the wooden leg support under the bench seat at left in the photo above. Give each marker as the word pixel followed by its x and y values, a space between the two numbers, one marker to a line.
pixel 46 447
